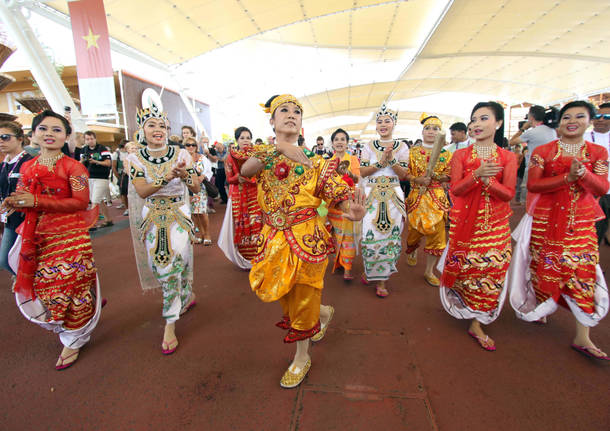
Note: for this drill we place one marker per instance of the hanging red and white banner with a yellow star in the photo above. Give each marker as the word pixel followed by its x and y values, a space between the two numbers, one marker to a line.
pixel 93 62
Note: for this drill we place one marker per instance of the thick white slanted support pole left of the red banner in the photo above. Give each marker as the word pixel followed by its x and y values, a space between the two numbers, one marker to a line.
pixel 41 67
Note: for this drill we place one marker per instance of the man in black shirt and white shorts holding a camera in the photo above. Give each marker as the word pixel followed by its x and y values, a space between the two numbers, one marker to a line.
pixel 97 160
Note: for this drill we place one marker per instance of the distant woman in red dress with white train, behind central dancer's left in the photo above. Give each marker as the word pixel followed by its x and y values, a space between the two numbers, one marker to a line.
pixel 243 219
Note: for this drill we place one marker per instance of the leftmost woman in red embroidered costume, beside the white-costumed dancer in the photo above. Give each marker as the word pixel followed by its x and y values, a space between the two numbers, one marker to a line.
pixel 56 284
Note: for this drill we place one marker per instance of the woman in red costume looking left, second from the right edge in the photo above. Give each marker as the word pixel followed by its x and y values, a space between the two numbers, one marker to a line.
pixel 483 178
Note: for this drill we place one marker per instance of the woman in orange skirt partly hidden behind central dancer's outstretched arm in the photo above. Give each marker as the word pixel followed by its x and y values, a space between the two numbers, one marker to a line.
pixel 344 230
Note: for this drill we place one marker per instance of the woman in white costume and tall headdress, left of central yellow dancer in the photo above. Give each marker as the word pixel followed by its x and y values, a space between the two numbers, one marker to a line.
pixel 161 177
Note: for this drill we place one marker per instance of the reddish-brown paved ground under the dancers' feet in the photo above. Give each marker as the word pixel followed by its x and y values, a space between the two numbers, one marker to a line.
pixel 400 363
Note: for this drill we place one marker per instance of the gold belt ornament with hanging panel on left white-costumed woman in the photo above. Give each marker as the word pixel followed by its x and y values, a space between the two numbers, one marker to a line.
pixel 163 212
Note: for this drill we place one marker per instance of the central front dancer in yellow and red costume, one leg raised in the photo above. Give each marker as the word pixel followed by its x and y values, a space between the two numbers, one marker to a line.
pixel 293 247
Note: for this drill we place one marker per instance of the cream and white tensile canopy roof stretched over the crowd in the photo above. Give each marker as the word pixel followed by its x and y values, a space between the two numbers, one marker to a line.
pixel 343 58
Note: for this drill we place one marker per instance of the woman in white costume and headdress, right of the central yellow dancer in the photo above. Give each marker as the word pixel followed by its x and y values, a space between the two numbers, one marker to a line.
pixel 383 164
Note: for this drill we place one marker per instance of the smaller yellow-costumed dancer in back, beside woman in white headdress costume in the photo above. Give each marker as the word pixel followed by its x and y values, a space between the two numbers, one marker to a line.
pixel 427 203
